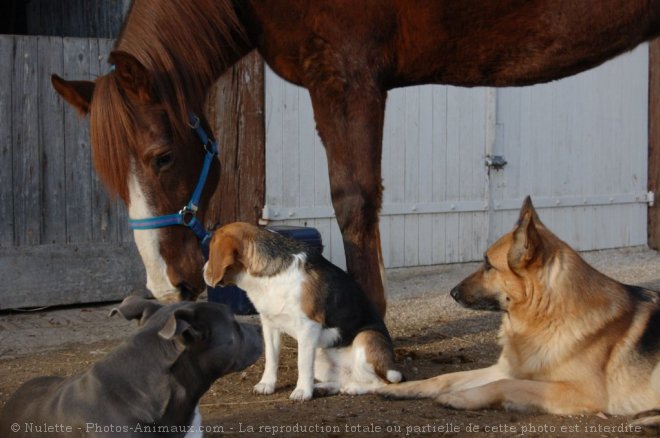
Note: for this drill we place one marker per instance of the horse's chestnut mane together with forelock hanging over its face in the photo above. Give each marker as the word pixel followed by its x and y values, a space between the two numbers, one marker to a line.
pixel 185 45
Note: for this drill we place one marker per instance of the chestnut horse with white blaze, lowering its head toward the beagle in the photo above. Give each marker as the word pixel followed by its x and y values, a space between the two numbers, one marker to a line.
pixel 347 54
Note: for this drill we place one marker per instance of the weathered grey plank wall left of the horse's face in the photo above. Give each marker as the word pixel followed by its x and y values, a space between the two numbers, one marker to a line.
pixel 62 240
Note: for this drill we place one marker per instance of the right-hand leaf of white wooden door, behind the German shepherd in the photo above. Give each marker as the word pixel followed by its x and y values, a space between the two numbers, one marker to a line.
pixel 584 136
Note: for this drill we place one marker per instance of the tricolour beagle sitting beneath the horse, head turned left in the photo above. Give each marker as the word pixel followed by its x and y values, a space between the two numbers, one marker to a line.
pixel 342 341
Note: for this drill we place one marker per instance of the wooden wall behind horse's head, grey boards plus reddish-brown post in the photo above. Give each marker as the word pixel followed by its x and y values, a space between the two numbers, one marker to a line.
pixel 62 239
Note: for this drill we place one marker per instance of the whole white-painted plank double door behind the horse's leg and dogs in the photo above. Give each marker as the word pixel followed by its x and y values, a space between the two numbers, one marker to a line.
pixel 581 138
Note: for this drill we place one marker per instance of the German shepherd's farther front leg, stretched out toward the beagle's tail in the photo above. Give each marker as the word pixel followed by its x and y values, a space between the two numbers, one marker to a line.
pixel 435 386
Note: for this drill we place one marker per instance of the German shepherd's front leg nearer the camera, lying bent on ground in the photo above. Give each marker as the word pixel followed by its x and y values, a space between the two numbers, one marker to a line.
pixel 559 398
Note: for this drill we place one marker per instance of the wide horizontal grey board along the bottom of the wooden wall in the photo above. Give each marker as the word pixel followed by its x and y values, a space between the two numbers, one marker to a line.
pixel 48 275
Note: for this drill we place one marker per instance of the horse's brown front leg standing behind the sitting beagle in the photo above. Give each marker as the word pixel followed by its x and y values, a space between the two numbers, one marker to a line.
pixel 349 120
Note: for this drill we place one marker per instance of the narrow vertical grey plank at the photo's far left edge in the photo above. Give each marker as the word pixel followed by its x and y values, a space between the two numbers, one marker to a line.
pixel 6 146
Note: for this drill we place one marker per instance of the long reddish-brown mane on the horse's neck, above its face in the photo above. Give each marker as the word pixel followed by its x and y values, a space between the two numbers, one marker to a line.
pixel 186 45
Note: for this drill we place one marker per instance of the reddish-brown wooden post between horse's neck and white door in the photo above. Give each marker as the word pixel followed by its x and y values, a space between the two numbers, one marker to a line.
pixel 237 118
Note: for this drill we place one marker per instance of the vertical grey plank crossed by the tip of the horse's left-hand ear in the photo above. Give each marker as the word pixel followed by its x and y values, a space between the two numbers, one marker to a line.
pixel 77 149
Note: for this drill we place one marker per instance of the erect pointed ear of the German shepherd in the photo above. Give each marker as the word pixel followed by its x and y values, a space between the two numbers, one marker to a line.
pixel 527 242
